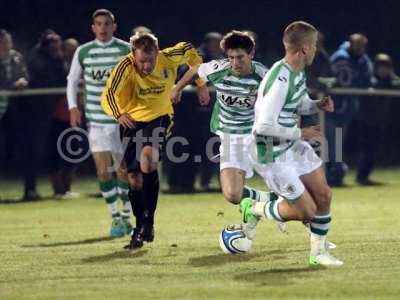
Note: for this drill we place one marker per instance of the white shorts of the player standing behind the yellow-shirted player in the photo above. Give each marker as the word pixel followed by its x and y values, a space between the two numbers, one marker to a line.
pixel 105 138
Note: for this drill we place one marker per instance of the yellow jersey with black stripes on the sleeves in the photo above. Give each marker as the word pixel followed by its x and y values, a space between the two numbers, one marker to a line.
pixel 149 97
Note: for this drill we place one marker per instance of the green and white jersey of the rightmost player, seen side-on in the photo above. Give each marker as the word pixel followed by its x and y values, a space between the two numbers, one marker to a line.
pixel 282 97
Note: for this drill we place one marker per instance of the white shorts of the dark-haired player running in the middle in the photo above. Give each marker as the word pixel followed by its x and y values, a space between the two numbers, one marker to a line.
pixel 235 152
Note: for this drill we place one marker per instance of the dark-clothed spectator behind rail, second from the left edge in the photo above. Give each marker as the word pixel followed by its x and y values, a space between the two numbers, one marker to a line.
pixel 46 69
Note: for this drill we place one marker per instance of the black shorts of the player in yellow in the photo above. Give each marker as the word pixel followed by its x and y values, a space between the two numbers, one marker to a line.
pixel 153 133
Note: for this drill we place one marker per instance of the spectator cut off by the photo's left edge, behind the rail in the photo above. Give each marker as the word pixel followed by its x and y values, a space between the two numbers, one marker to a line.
pixel 13 75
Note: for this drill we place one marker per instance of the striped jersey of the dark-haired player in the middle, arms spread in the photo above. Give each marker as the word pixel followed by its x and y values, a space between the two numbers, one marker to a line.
pixel 234 107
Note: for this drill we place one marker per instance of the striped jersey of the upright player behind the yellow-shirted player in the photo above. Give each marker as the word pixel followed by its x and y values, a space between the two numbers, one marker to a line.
pixel 96 61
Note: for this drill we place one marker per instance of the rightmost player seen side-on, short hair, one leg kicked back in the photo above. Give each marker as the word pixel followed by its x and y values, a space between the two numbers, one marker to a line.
pixel 286 161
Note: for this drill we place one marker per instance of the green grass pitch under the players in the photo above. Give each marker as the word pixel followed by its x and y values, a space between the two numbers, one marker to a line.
pixel 60 250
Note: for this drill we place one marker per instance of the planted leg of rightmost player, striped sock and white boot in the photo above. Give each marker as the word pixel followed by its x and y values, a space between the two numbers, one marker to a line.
pixel 316 183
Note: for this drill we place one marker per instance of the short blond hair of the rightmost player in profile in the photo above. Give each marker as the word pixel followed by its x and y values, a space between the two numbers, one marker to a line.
pixel 297 34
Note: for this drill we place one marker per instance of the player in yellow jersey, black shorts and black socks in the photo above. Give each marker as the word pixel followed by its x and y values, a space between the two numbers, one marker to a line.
pixel 138 96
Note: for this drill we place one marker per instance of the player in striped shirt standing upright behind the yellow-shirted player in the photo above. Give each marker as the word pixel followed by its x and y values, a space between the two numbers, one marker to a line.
pixel 95 60
